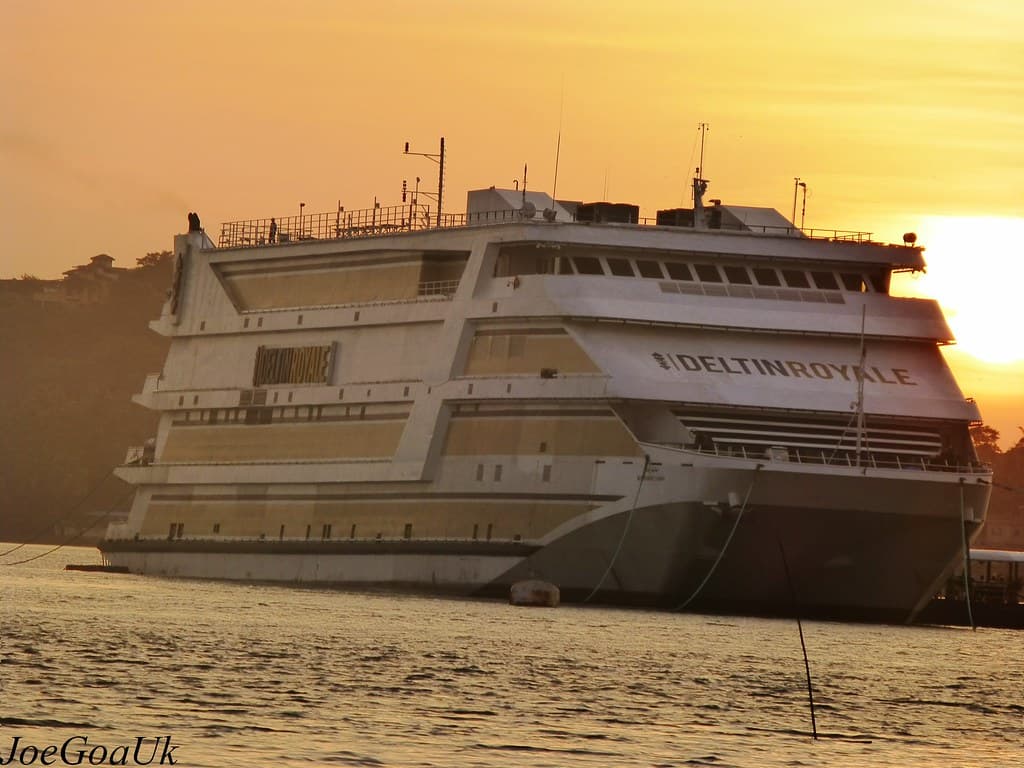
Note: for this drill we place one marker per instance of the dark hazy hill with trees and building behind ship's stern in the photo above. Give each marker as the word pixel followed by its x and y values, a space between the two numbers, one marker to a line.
pixel 72 354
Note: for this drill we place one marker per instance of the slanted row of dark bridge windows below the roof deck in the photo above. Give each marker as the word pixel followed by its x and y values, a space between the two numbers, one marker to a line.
pixel 825 280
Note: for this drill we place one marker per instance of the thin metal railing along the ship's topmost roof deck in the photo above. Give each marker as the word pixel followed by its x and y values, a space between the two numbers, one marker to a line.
pixel 343 225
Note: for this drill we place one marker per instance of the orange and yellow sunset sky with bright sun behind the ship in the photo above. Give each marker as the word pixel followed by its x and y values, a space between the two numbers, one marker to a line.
pixel 120 117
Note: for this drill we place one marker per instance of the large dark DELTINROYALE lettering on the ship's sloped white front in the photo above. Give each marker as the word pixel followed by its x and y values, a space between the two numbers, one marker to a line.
pixel 791 369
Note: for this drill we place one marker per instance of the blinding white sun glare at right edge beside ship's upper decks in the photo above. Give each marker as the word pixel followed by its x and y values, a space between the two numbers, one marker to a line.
pixel 976 273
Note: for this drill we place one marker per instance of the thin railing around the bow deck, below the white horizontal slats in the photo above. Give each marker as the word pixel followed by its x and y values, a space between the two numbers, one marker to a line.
pixel 825 457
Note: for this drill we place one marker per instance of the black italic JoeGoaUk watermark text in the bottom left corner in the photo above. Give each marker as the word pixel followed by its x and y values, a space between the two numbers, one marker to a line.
pixel 78 751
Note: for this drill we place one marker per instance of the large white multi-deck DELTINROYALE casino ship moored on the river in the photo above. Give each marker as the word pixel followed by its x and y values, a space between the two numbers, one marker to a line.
pixel 713 410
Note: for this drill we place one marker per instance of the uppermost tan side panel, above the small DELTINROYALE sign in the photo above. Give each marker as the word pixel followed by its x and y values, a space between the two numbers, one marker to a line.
pixel 354 286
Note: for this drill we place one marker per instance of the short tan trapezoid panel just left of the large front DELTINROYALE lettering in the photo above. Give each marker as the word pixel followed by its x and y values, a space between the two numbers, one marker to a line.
pixel 524 353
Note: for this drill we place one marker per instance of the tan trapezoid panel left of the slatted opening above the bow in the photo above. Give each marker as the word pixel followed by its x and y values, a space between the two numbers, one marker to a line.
pixel 516 436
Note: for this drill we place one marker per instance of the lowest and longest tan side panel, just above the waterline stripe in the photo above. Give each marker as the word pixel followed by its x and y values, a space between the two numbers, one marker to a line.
pixel 430 520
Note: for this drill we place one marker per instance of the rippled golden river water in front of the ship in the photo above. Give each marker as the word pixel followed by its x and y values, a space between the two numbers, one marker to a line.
pixel 246 675
